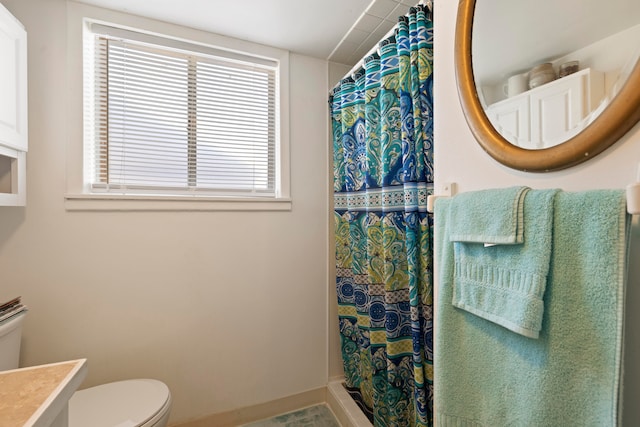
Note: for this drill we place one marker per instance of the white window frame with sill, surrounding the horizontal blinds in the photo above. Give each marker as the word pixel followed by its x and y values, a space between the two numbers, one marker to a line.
pixel 80 196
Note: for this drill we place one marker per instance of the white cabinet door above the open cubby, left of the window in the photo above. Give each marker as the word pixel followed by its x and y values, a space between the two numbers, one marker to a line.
pixel 13 82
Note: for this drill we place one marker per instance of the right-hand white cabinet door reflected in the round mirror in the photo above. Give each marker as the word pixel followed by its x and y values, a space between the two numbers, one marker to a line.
pixel 556 110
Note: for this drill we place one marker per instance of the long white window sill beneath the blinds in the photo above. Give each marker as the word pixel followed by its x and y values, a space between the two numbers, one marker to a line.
pixel 112 202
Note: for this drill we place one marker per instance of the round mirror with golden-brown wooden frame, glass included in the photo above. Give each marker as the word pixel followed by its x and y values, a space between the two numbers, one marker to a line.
pixel 548 84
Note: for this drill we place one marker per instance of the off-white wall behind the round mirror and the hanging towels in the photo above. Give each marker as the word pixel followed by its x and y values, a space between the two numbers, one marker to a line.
pixel 460 159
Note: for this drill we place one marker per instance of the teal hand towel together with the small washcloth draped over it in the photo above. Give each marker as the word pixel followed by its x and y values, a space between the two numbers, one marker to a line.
pixel 502 248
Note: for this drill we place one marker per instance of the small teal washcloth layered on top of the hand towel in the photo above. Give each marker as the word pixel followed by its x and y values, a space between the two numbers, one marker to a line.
pixel 488 216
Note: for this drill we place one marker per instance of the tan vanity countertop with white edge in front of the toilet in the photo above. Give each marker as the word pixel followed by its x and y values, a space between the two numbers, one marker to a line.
pixel 38 395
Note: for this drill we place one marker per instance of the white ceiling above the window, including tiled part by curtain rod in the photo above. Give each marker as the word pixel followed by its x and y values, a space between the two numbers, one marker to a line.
pixel 339 30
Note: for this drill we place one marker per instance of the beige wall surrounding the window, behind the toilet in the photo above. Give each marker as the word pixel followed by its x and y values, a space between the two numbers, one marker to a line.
pixel 228 308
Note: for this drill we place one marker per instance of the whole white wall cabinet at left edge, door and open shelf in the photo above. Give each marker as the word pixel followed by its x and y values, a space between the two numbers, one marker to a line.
pixel 13 110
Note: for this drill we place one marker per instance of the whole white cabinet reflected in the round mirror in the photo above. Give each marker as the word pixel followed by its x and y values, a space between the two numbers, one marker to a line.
pixel 549 114
